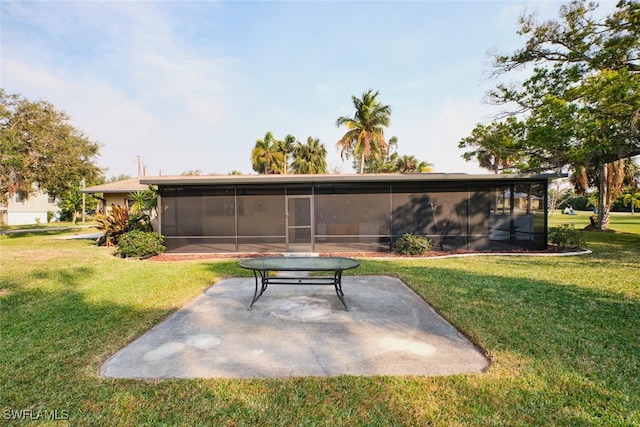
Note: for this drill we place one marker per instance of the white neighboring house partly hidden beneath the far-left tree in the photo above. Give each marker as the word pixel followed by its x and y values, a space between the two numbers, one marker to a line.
pixel 38 208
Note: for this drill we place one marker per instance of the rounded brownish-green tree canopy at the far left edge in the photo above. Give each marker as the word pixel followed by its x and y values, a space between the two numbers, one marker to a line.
pixel 40 149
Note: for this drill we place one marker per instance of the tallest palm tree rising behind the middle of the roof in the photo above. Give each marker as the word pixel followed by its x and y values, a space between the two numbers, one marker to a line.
pixel 365 135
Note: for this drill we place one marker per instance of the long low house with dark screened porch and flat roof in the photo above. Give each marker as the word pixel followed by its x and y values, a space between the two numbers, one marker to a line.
pixel 334 213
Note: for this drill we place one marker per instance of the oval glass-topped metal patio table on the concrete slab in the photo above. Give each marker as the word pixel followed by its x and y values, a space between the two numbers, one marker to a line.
pixel 262 268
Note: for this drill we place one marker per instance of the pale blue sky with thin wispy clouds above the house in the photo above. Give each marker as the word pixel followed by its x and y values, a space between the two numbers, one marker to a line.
pixel 192 85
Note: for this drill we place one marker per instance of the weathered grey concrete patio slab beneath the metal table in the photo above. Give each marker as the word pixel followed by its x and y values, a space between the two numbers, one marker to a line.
pixel 300 331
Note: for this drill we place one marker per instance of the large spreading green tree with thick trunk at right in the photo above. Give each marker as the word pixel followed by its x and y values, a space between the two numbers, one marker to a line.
pixel 579 108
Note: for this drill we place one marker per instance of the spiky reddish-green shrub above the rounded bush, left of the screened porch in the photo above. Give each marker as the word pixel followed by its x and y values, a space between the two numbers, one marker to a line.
pixel 118 221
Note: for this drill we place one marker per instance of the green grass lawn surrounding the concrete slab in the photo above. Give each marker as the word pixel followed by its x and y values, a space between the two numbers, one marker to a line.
pixel 563 335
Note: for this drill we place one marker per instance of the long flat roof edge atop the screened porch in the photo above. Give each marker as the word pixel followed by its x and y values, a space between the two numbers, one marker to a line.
pixel 339 178
